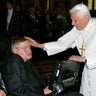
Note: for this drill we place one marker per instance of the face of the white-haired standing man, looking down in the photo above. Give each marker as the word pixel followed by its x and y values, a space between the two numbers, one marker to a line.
pixel 79 22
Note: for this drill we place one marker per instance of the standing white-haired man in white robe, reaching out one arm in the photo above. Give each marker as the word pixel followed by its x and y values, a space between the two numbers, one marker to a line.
pixel 82 36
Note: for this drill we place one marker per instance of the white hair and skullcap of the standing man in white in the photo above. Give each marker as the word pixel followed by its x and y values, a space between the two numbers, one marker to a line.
pixel 81 10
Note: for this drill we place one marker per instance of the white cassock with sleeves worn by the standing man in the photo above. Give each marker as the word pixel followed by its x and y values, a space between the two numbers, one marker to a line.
pixel 75 38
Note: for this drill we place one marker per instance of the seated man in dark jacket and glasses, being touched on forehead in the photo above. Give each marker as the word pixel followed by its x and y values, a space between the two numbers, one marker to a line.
pixel 21 78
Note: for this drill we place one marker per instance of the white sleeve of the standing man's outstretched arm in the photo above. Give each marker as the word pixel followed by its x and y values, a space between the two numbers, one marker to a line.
pixel 62 43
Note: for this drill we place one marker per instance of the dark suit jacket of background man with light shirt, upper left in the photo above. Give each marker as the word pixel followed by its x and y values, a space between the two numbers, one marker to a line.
pixel 14 26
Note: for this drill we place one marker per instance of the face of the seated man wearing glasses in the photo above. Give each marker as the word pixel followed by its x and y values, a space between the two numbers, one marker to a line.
pixel 24 50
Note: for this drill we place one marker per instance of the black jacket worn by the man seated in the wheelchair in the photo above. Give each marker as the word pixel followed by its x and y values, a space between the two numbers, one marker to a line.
pixel 21 78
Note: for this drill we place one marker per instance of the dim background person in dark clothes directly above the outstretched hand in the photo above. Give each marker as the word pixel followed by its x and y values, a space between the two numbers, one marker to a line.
pixel 32 23
